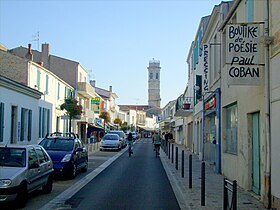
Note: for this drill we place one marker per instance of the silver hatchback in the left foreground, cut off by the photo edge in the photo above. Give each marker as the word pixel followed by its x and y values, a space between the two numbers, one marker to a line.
pixel 23 169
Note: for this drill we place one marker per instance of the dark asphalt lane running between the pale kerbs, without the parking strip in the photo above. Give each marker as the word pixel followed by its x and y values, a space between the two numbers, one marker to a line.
pixel 138 182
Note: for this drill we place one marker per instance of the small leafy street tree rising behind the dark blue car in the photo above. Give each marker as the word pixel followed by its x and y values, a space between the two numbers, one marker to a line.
pixel 73 109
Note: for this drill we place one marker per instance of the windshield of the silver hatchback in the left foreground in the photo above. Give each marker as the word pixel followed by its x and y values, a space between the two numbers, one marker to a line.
pixel 12 157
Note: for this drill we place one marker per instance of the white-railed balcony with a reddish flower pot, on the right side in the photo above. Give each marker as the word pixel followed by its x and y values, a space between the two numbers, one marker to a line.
pixel 184 106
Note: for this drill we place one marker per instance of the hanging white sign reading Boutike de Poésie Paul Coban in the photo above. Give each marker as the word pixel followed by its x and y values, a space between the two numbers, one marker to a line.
pixel 243 54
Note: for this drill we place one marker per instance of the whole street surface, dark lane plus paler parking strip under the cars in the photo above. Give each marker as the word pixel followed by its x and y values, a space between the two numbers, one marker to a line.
pixel 138 182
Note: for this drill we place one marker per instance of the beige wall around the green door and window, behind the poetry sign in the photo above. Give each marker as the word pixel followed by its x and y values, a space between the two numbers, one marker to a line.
pixel 249 99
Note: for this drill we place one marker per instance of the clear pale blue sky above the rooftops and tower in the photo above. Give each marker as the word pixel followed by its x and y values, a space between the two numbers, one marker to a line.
pixel 114 40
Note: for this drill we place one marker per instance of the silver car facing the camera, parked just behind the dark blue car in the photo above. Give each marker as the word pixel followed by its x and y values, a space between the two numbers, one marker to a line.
pixel 110 142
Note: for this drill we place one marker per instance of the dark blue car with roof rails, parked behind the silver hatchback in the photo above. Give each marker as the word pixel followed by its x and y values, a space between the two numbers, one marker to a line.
pixel 68 153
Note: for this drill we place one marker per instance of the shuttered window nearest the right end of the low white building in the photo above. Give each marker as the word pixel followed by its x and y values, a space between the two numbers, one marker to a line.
pixel 26 123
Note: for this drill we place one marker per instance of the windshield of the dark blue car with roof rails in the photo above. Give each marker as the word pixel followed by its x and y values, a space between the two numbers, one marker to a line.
pixel 58 144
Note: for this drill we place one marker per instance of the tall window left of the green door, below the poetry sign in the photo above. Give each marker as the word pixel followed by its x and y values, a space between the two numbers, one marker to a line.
pixel 231 129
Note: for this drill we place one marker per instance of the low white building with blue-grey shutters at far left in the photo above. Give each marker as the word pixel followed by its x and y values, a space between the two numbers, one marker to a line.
pixel 19 113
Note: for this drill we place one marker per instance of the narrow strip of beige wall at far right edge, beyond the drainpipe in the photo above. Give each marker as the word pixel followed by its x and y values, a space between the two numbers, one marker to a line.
pixel 275 102
